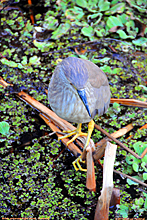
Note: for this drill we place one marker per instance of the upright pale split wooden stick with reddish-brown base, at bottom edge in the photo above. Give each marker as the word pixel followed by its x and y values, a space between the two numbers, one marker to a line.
pixel 102 208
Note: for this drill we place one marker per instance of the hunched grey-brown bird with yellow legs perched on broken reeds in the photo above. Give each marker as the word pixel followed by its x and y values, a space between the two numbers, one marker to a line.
pixel 78 90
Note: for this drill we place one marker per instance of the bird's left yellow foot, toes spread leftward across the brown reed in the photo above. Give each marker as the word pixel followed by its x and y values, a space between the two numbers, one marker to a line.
pixel 76 134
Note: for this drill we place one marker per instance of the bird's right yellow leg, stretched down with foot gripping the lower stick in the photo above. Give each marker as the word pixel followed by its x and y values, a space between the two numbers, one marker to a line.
pixel 76 163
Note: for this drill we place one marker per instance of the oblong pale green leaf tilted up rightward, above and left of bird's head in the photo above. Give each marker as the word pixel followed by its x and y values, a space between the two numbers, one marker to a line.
pixel 60 31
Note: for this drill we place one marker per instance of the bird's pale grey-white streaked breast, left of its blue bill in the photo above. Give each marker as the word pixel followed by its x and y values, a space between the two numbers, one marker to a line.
pixel 68 105
